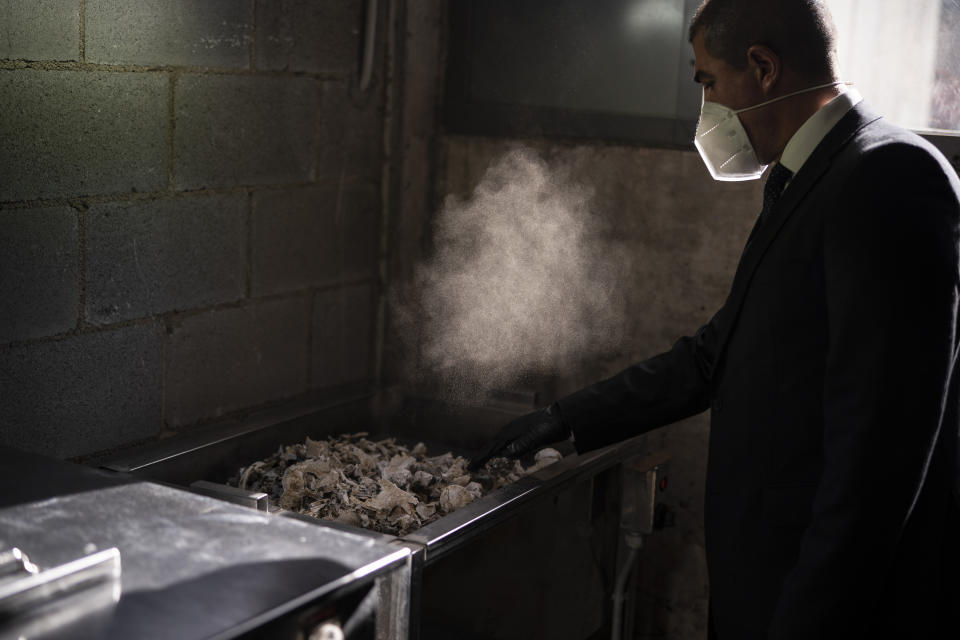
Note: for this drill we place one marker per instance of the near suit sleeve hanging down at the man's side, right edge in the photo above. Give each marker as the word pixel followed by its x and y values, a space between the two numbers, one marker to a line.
pixel 890 260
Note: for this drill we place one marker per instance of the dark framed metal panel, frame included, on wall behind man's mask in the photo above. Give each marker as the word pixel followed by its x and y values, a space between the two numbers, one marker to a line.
pixel 613 69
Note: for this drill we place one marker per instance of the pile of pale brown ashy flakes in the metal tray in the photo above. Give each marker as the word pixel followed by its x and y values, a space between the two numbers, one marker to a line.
pixel 378 485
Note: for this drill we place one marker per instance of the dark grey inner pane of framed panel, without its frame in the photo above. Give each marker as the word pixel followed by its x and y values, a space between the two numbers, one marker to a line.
pixel 606 55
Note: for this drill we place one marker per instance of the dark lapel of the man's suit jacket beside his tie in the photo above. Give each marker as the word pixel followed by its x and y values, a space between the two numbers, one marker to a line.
pixel 763 235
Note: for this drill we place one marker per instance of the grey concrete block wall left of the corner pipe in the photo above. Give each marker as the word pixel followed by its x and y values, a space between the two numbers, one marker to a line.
pixel 190 205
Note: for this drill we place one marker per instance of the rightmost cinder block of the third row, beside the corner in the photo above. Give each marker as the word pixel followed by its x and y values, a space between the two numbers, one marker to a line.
pixel 313 236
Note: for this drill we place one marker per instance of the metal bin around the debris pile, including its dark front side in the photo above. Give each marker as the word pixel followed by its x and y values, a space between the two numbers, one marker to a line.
pixel 535 559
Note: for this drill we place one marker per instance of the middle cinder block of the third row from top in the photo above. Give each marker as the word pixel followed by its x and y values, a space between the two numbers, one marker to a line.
pixel 156 256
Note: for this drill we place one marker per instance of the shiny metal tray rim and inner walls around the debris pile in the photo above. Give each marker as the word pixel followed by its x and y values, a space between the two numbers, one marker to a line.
pixel 213 455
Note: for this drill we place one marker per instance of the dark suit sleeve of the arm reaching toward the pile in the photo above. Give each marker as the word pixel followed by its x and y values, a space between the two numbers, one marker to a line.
pixel 655 392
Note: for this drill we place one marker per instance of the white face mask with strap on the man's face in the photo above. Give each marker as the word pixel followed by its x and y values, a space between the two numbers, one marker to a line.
pixel 723 142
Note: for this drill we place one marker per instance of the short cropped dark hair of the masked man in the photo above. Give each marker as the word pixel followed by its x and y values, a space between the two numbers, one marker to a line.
pixel 801 32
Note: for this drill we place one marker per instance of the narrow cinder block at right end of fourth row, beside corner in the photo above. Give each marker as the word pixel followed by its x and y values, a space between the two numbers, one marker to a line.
pixel 344 322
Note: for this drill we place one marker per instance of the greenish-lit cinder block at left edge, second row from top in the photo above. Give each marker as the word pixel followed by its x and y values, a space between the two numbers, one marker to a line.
pixel 68 133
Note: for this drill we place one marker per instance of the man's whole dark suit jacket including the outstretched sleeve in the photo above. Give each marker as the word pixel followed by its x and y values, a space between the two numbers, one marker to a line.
pixel 830 376
